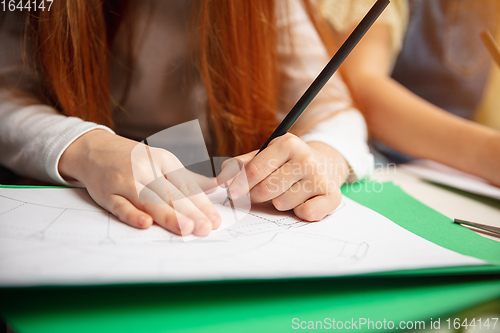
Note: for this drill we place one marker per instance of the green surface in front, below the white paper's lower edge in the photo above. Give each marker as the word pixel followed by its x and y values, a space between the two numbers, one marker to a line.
pixel 237 306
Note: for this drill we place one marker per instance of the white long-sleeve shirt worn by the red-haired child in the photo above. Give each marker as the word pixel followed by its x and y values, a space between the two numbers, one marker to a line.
pixel 164 92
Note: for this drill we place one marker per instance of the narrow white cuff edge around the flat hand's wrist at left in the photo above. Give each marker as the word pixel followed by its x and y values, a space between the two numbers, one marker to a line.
pixel 59 145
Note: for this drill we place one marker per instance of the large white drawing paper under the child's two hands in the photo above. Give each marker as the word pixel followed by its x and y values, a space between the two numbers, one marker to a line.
pixel 61 237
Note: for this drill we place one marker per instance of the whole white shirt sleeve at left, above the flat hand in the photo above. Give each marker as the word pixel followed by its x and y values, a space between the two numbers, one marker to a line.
pixel 33 138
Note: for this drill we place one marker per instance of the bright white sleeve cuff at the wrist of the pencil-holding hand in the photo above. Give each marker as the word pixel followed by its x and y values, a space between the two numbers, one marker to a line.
pixel 346 133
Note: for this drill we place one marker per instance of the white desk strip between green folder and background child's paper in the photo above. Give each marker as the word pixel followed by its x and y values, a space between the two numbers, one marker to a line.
pixel 448 203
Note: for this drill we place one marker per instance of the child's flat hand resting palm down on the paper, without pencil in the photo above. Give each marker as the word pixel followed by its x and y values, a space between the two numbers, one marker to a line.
pixel 115 169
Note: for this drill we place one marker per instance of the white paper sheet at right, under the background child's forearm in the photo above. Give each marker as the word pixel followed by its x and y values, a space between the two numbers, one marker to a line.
pixel 442 174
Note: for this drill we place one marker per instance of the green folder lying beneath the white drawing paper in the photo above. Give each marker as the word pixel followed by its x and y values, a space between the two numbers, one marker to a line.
pixel 270 306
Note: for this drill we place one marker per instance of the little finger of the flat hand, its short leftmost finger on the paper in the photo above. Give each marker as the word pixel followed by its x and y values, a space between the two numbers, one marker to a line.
pixel 126 212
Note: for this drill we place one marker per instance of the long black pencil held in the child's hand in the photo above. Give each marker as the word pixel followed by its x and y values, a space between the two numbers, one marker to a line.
pixel 327 72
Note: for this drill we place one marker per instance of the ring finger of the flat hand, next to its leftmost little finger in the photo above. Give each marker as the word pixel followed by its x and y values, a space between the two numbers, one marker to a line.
pixel 163 214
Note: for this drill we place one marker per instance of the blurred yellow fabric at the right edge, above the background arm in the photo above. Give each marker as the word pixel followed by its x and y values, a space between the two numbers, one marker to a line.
pixel 488 112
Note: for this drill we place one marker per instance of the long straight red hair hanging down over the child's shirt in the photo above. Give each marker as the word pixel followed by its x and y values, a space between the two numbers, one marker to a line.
pixel 237 60
